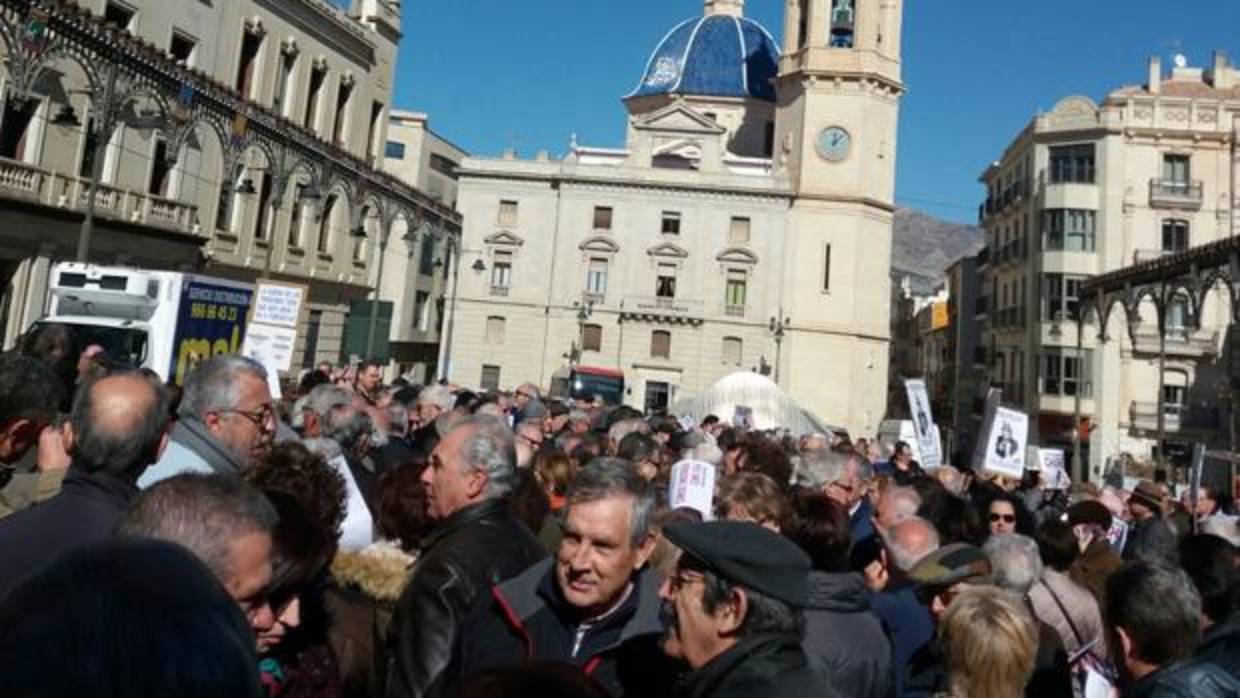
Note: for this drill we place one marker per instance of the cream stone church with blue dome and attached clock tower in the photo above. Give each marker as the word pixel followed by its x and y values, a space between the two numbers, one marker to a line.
pixel 746 225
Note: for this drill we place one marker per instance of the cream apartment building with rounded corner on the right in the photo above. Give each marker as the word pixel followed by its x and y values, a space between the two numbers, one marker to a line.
pixel 1086 189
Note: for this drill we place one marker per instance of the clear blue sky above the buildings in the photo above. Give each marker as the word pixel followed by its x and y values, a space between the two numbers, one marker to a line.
pixel 529 74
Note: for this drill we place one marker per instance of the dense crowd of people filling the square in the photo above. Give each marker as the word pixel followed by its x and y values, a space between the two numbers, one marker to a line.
pixel 354 539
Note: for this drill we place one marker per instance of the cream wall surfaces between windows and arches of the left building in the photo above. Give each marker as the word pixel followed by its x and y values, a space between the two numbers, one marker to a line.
pixel 347 45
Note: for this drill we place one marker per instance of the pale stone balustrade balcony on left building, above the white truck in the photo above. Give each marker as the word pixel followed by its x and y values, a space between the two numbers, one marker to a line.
pixel 22 182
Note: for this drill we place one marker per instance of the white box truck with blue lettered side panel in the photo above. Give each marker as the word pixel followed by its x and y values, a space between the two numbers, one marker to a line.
pixel 161 320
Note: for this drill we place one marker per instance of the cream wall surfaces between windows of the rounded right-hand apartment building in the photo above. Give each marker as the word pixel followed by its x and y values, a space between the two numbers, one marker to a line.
pixel 1127 161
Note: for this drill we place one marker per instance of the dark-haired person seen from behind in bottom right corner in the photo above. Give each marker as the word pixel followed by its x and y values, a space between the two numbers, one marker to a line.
pixel 1156 613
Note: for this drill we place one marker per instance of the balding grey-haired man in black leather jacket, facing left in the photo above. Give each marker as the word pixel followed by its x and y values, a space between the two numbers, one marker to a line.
pixel 477 542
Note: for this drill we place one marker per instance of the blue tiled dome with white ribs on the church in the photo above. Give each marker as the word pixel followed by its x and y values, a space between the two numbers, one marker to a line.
pixel 714 56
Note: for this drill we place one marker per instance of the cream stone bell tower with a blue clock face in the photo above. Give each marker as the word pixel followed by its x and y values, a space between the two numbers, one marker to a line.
pixel 838 112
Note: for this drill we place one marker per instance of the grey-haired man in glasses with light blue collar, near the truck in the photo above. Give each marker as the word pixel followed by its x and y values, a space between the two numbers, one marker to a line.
pixel 226 423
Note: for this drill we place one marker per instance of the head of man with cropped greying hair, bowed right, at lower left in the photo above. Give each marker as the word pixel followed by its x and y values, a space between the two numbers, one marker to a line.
pixel 225 523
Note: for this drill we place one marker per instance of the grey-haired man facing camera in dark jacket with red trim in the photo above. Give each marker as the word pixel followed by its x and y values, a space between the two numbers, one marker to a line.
pixel 595 606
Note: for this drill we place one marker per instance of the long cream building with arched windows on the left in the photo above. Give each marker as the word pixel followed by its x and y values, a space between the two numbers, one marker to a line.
pixel 237 138
